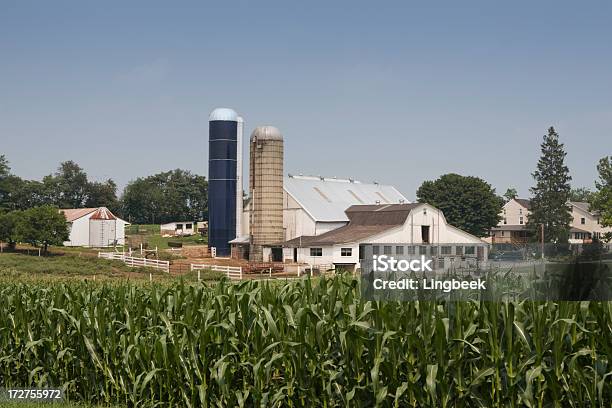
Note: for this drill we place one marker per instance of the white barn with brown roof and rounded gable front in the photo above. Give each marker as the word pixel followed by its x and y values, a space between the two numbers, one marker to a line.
pixel 393 229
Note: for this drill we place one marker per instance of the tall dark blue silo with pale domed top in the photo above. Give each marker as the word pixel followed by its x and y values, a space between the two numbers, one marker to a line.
pixel 222 178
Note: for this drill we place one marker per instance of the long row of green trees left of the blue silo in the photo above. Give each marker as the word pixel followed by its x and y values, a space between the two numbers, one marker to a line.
pixel 163 197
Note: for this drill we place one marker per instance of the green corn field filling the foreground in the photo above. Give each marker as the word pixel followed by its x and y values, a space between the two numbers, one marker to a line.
pixel 302 343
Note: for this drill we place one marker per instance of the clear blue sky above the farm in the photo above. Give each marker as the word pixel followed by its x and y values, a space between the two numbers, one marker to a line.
pixel 395 92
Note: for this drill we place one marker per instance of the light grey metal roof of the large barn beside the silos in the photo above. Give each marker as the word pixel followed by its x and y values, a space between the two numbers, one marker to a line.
pixel 327 199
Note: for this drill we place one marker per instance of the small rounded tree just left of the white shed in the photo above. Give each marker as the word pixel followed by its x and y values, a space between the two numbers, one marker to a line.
pixel 42 226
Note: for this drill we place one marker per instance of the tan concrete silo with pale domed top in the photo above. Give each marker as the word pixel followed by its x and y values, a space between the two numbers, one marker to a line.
pixel 266 185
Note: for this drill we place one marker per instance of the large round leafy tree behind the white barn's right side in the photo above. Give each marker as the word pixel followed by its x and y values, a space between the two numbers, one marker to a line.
pixel 468 203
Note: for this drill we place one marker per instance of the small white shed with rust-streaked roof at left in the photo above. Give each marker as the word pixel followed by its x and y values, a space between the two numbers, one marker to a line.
pixel 94 227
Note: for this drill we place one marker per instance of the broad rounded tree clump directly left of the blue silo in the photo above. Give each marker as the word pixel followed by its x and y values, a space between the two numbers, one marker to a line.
pixel 164 197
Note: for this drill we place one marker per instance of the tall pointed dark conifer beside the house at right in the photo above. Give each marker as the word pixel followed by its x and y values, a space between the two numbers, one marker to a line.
pixel 551 192
